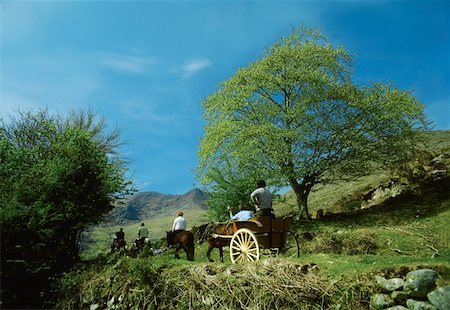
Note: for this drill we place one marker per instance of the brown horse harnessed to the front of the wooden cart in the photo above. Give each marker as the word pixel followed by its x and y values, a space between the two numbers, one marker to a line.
pixel 205 234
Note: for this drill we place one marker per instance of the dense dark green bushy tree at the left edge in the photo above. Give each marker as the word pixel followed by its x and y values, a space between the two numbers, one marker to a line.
pixel 58 175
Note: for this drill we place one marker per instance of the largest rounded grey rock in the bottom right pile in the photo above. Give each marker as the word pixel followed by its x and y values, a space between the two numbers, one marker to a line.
pixel 420 282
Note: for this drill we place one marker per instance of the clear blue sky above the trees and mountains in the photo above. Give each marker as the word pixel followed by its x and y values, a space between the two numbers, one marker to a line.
pixel 146 66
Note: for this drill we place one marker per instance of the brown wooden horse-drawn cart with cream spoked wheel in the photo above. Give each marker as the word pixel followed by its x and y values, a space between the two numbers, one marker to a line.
pixel 246 239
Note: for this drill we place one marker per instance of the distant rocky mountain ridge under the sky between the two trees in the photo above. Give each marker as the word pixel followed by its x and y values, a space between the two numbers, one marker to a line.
pixel 150 205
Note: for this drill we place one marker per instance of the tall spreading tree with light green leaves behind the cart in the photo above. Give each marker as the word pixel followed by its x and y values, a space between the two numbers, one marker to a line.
pixel 297 113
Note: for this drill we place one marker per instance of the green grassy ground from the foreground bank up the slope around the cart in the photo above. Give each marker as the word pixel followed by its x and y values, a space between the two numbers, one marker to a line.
pixel 340 255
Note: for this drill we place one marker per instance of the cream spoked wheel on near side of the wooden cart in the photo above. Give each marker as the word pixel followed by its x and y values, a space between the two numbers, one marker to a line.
pixel 244 247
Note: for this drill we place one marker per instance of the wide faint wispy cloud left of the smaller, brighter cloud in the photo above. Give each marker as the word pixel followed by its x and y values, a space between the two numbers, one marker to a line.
pixel 128 63
